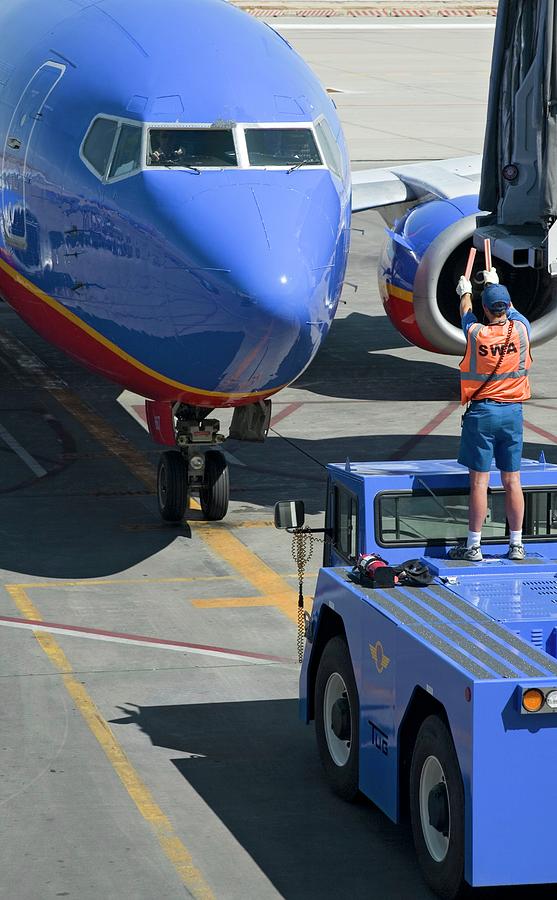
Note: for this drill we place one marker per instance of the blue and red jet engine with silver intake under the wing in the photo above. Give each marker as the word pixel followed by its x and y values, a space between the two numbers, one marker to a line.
pixel 426 253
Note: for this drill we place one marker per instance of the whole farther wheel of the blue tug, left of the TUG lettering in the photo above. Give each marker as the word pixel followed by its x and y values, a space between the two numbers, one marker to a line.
pixel 336 719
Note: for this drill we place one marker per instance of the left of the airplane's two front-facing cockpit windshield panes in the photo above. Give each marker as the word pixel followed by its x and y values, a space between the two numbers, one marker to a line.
pixel 193 147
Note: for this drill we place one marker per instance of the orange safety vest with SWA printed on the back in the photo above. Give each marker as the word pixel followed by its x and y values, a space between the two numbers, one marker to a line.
pixel 484 347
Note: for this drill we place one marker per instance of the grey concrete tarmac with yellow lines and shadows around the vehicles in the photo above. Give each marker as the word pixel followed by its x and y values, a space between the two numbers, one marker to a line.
pixel 149 742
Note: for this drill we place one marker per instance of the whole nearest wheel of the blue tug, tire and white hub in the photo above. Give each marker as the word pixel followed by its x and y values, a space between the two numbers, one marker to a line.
pixel 437 809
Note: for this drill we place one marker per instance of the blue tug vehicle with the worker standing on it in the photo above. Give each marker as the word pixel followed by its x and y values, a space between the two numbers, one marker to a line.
pixel 438 700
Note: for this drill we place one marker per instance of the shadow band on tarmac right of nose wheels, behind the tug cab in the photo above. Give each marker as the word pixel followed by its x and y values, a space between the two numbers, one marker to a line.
pixel 295 470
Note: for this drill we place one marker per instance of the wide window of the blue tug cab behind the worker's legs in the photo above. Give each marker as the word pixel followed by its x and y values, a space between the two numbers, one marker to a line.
pixel 409 519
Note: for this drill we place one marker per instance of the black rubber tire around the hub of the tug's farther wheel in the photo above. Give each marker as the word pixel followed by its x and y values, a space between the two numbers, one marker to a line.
pixel 343 779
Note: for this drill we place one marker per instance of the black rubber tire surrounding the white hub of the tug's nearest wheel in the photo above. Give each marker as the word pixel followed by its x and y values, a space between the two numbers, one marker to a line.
pixel 446 877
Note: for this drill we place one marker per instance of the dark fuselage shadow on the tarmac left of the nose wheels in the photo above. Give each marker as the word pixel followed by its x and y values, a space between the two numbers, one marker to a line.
pixel 91 516
